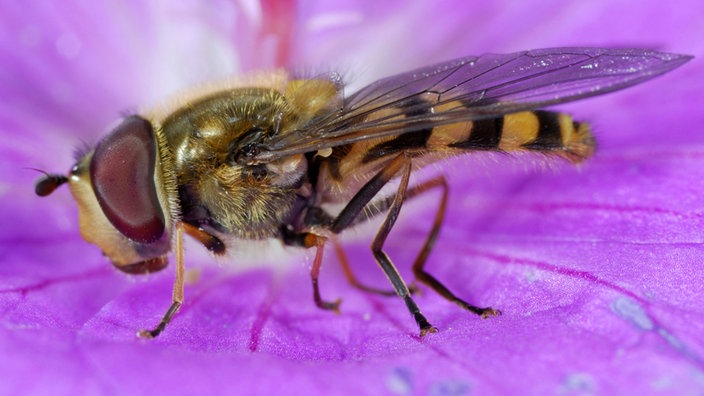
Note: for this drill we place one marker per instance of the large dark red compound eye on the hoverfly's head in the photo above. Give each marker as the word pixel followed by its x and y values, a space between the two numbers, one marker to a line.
pixel 122 174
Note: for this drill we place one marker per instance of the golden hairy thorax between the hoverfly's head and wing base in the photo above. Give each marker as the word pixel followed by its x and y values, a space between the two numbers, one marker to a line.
pixel 245 201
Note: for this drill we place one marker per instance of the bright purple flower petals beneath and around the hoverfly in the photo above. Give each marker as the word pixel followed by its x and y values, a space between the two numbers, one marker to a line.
pixel 597 270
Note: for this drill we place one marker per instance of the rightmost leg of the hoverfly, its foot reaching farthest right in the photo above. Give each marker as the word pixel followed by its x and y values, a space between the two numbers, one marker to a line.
pixel 419 264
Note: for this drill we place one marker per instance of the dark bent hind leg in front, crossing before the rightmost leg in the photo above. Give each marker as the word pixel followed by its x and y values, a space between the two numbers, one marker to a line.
pixel 355 206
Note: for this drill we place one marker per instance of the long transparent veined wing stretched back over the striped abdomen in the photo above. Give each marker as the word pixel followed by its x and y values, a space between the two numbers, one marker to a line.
pixel 473 88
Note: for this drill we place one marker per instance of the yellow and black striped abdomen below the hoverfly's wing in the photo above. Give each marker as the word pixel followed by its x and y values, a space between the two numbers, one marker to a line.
pixel 543 131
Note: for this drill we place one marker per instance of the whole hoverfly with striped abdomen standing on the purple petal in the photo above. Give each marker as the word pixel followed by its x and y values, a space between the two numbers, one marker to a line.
pixel 264 159
